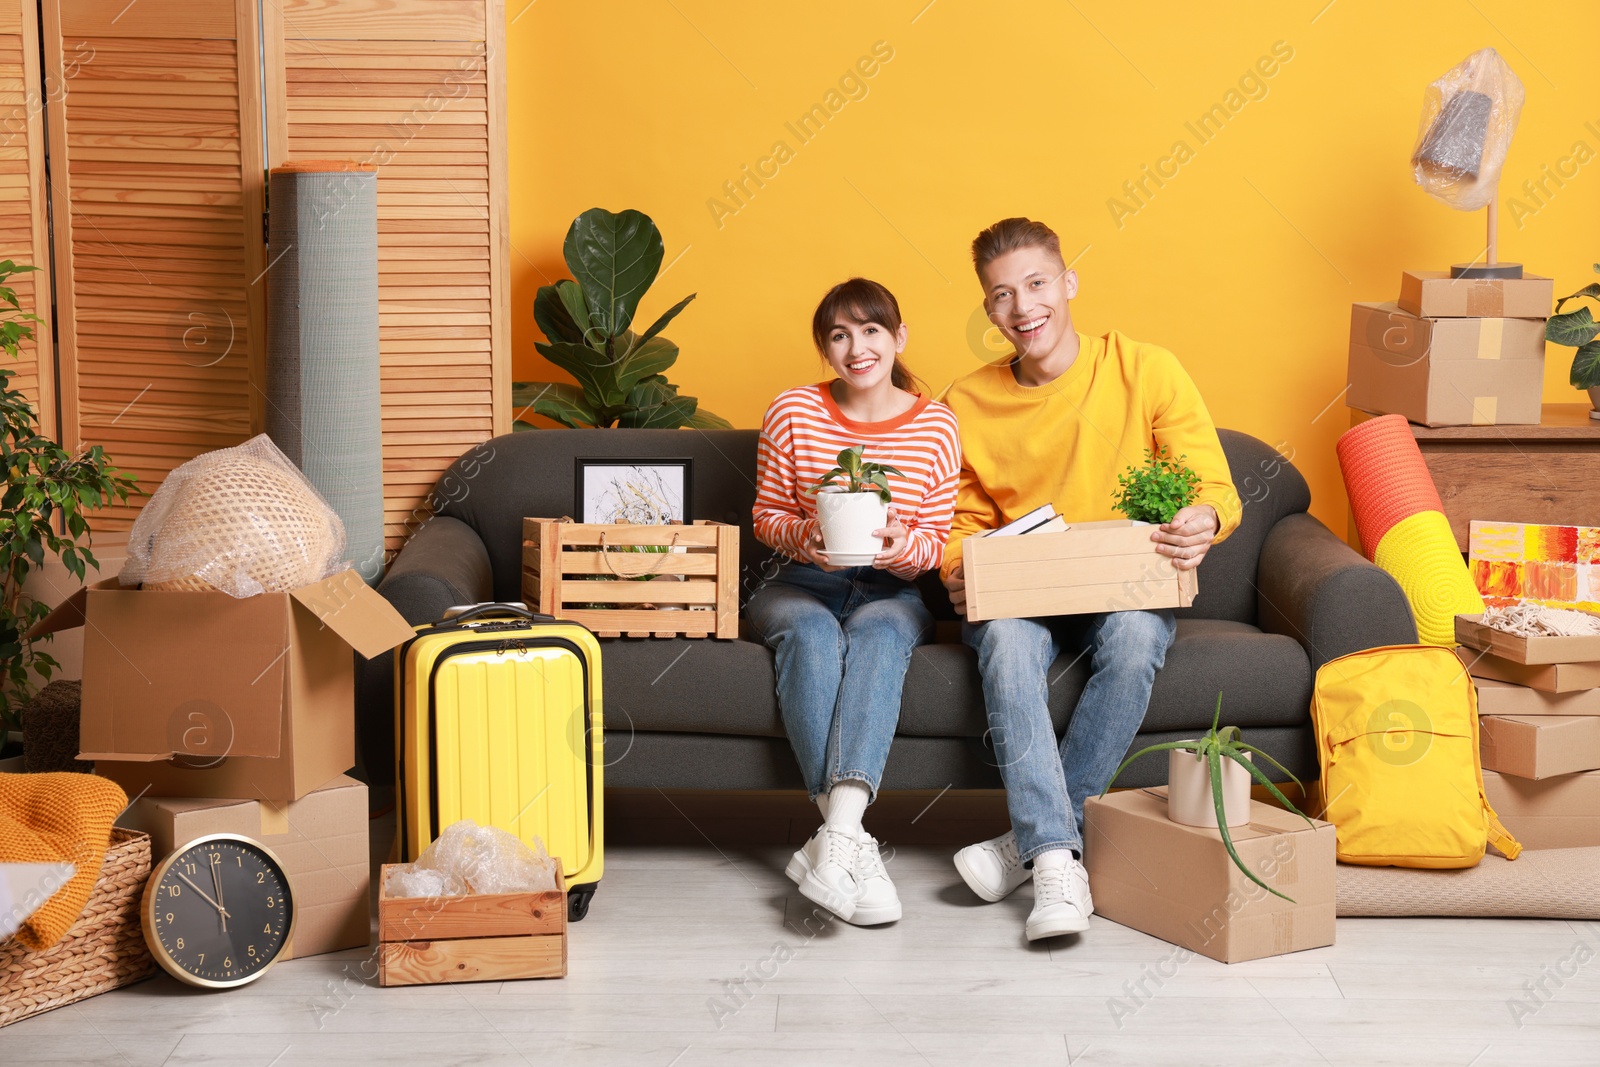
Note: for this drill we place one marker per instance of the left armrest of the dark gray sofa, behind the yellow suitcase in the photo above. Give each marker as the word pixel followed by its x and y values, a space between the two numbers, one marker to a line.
pixel 446 564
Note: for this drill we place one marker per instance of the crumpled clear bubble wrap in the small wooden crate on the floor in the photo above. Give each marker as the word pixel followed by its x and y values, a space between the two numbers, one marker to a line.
pixel 471 858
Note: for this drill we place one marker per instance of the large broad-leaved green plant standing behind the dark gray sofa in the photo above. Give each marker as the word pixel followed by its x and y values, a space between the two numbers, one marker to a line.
pixel 588 324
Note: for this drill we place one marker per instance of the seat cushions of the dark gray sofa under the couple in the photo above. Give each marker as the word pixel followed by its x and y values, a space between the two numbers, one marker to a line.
pixel 729 687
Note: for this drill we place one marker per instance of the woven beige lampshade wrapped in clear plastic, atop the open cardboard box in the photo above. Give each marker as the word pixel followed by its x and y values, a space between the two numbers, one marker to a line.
pixel 242 521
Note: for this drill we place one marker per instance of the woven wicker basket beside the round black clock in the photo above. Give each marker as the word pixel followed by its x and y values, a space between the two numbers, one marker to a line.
pixel 102 953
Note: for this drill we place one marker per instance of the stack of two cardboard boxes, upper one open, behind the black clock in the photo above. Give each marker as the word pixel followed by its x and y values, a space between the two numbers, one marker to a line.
pixel 238 716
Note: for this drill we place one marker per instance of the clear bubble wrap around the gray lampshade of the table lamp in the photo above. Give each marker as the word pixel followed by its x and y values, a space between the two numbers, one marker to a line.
pixel 1470 118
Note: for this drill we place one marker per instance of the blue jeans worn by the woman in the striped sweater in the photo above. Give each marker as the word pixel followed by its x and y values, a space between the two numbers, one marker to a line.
pixel 844 642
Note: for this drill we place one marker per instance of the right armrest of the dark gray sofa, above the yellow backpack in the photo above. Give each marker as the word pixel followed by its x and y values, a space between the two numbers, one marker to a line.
pixel 1327 596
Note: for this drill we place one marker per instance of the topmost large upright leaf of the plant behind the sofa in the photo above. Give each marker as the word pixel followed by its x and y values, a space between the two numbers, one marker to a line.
pixel 615 258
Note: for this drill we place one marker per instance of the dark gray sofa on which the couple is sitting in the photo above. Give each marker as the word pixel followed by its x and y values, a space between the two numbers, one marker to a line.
pixel 1278 601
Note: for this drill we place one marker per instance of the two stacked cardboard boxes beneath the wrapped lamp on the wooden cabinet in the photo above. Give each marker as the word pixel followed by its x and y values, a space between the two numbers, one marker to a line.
pixel 1452 351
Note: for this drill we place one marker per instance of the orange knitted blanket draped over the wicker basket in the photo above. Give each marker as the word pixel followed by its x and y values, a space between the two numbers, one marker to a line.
pixel 58 818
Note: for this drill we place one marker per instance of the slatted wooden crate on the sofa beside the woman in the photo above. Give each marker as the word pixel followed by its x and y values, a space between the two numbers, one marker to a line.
pixel 567 567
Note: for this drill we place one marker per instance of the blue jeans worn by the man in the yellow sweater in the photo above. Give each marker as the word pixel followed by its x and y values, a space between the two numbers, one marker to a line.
pixel 1046 786
